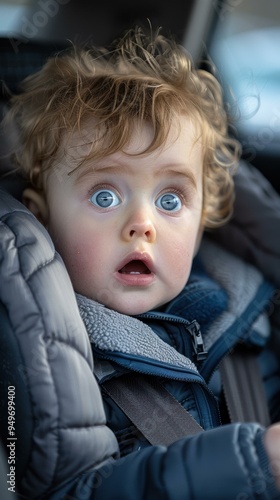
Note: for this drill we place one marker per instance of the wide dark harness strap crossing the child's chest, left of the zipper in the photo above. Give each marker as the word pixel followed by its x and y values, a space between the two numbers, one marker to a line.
pixel 151 408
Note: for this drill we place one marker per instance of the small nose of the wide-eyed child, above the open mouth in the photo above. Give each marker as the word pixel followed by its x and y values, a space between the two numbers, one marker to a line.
pixel 139 225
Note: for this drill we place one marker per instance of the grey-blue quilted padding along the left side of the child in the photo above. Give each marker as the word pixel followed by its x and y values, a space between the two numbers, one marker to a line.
pixel 63 417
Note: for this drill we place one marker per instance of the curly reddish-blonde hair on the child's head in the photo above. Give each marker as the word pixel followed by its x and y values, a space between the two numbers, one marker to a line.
pixel 144 77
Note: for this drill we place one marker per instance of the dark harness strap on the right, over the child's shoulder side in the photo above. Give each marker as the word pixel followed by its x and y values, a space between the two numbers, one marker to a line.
pixel 243 388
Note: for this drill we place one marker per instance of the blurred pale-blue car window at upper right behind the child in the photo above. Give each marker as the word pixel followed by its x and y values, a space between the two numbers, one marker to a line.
pixel 245 50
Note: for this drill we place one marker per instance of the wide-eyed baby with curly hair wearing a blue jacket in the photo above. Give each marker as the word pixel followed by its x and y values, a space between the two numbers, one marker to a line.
pixel 129 160
